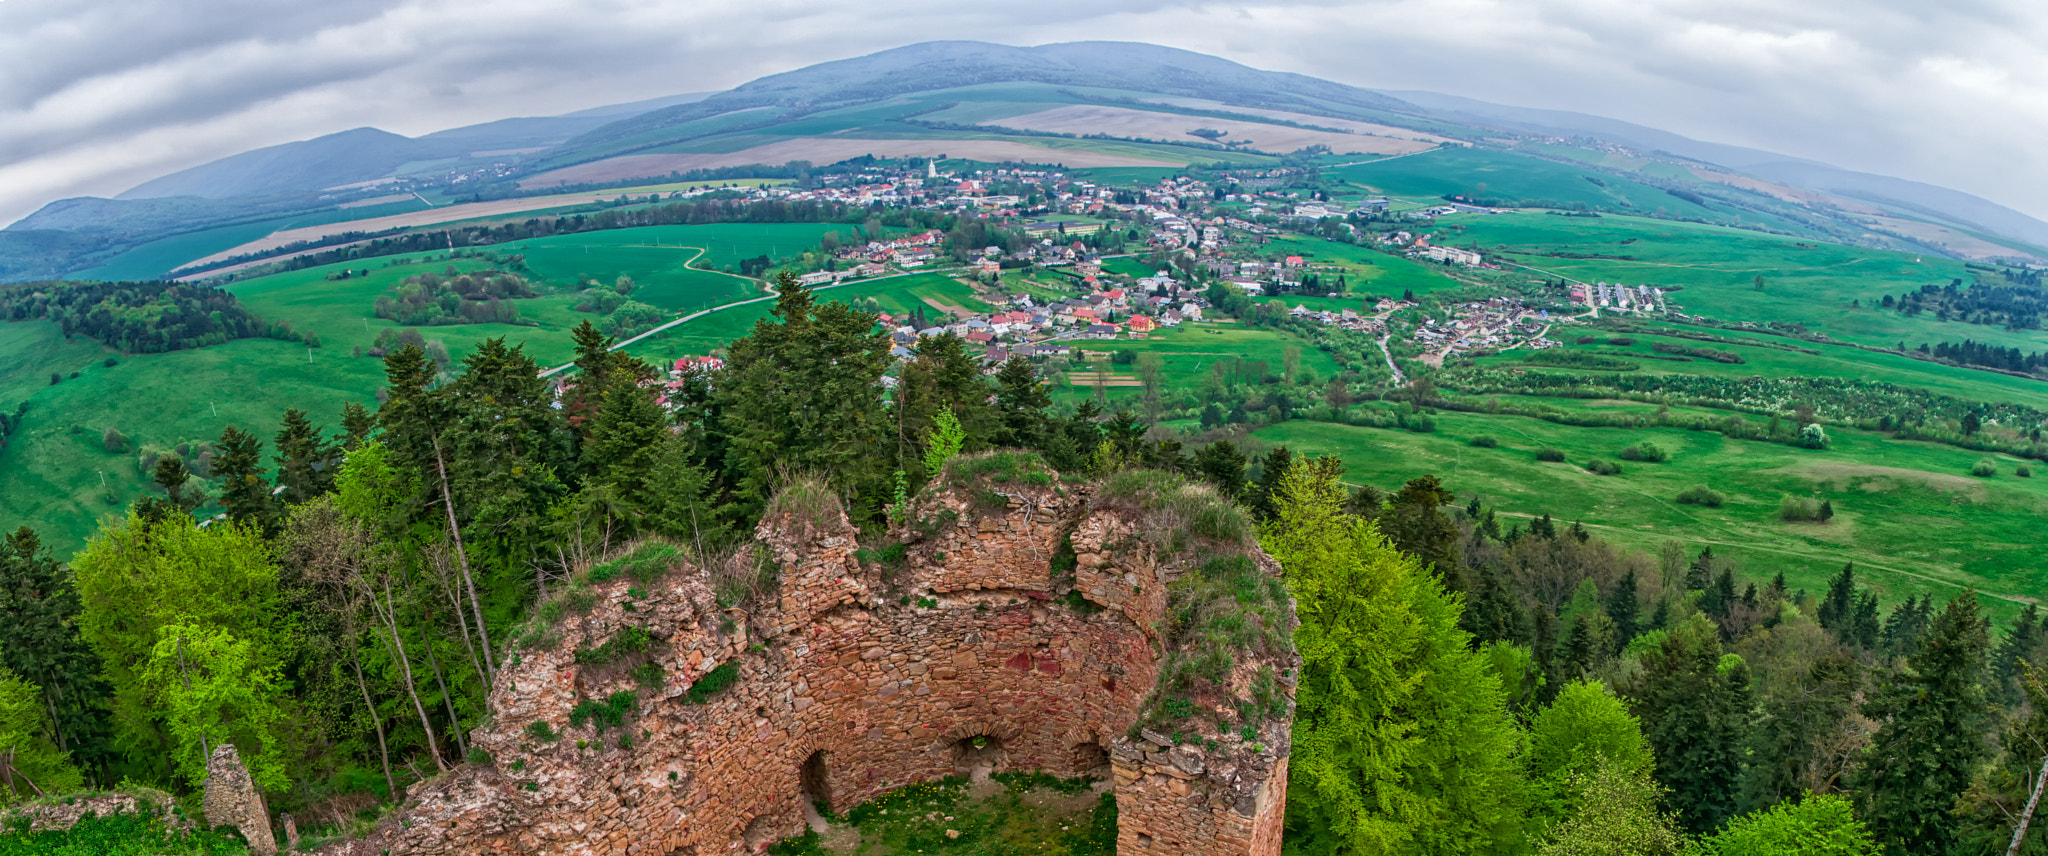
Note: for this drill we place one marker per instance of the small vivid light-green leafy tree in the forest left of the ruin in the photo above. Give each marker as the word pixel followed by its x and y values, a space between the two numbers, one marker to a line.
pixel 216 689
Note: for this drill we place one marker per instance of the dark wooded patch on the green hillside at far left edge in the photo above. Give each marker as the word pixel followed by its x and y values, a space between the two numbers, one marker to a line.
pixel 140 318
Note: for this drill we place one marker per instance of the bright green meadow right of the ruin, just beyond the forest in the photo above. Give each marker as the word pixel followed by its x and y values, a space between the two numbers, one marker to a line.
pixel 1908 513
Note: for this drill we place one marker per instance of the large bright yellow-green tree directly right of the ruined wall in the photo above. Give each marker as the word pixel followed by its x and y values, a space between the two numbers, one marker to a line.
pixel 1402 736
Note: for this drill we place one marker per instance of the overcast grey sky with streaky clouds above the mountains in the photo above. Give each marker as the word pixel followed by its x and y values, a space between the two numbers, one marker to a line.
pixel 103 95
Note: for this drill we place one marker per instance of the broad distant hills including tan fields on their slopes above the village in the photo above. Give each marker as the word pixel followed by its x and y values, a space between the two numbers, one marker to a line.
pixel 1080 105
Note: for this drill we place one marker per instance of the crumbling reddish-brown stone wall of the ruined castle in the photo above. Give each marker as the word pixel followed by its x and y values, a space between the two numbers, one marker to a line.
pixel 855 681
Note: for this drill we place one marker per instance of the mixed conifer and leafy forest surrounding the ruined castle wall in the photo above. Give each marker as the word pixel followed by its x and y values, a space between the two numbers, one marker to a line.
pixel 1469 685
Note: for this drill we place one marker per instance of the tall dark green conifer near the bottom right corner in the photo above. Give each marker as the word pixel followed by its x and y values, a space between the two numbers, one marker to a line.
pixel 1932 734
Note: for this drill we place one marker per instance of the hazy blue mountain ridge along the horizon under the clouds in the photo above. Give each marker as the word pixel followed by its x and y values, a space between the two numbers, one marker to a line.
pixel 310 179
